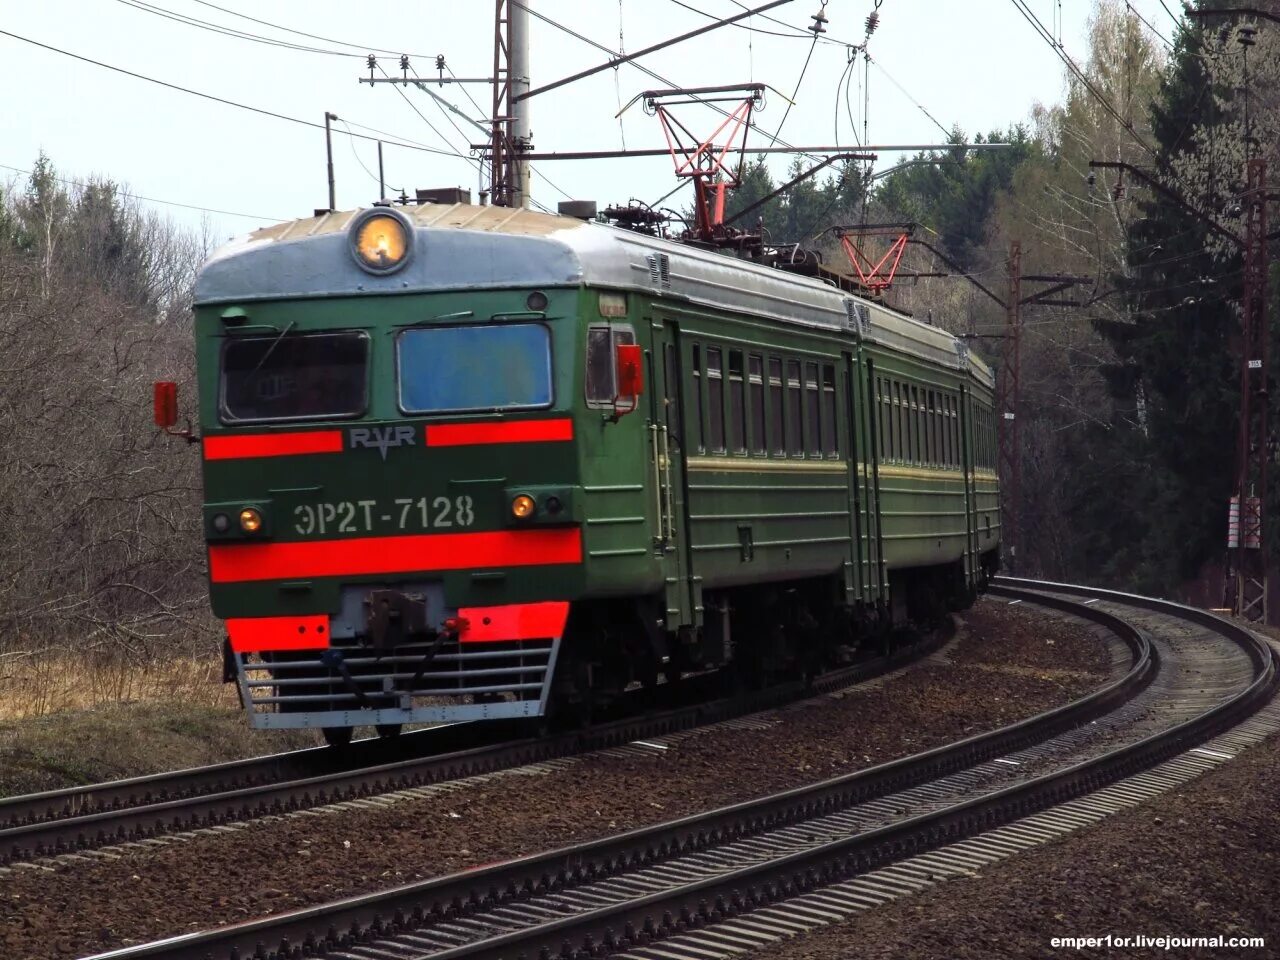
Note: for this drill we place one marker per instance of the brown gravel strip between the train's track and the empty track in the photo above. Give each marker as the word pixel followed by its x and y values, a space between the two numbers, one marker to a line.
pixel 1009 664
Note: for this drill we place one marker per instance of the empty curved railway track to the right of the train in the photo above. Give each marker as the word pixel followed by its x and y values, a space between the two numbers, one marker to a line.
pixel 721 881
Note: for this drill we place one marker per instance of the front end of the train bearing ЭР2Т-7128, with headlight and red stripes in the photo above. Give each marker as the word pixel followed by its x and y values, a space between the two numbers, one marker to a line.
pixel 391 417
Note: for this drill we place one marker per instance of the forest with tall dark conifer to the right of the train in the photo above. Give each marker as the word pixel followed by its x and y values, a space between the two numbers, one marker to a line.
pixel 1130 397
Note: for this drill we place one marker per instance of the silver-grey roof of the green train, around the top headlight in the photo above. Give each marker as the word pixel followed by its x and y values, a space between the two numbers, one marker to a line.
pixel 486 248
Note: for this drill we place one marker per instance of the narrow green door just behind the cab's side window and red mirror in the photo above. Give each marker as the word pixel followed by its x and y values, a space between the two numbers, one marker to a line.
pixel 668 456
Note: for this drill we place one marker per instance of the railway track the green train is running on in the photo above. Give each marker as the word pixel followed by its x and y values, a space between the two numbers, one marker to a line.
pixel 40 826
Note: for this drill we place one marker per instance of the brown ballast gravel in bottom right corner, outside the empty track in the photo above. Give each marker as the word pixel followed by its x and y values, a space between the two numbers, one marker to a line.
pixel 1203 862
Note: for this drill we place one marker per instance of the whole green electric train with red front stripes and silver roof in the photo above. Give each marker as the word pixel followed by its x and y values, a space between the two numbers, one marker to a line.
pixel 473 463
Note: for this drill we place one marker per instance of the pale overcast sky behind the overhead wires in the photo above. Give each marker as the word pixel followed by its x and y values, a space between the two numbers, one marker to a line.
pixel 971 63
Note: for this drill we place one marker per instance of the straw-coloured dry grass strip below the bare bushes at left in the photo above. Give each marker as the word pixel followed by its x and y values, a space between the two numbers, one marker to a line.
pixel 36 684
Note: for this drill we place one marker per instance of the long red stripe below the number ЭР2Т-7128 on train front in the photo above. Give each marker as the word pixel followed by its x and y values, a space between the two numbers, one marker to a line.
pixel 235 564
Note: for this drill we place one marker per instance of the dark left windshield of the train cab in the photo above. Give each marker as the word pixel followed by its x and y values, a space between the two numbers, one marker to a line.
pixel 295 377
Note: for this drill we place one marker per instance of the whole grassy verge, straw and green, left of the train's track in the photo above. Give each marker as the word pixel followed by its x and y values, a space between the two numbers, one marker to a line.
pixel 80 720
